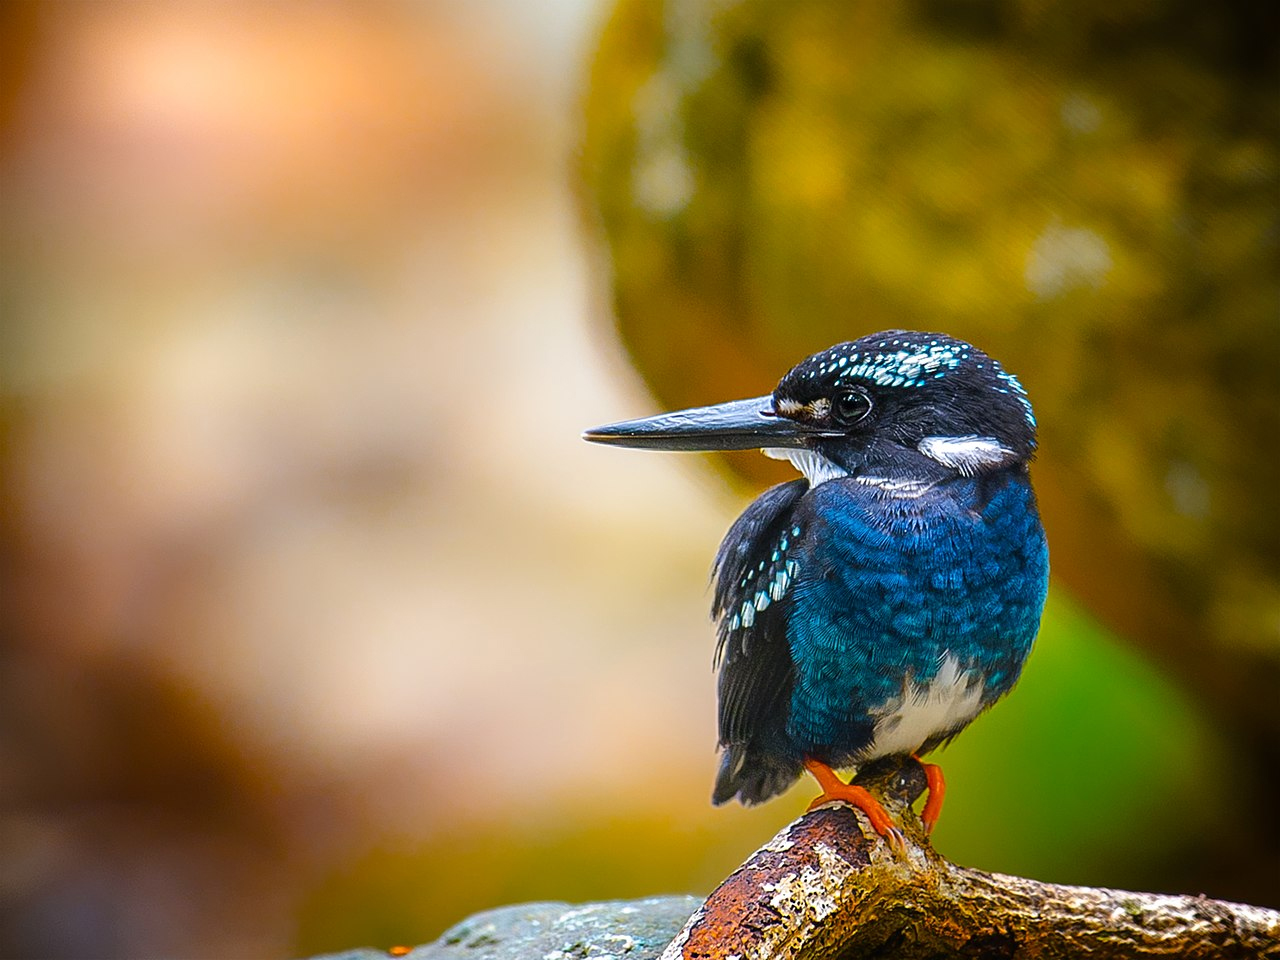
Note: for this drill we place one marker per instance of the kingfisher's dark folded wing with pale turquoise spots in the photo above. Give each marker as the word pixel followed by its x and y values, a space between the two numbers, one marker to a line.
pixel 753 577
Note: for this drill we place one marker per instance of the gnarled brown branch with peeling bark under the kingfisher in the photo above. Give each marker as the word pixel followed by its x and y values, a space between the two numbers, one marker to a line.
pixel 828 886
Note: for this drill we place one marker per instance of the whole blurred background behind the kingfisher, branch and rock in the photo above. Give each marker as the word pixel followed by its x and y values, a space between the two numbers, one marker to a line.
pixel 319 625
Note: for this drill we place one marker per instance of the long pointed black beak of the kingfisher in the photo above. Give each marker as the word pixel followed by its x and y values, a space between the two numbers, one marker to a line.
pixel 739 426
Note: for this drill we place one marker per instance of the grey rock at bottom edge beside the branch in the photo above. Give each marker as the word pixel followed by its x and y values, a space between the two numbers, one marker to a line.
pixel 637 930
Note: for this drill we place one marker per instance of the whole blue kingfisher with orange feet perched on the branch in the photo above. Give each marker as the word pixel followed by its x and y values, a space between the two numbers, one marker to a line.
pixel 875 606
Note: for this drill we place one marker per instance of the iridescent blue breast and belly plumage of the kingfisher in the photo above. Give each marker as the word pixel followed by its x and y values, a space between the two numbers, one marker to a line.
pixel 890 588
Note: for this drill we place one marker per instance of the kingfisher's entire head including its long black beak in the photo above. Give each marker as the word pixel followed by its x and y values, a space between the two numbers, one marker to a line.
pixel 895 404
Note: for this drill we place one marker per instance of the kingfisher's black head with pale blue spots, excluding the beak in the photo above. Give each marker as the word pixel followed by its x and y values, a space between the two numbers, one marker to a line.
pixel 897 397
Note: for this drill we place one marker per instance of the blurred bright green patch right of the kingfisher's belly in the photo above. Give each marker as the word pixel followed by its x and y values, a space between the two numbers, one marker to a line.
pixel 1090 772
